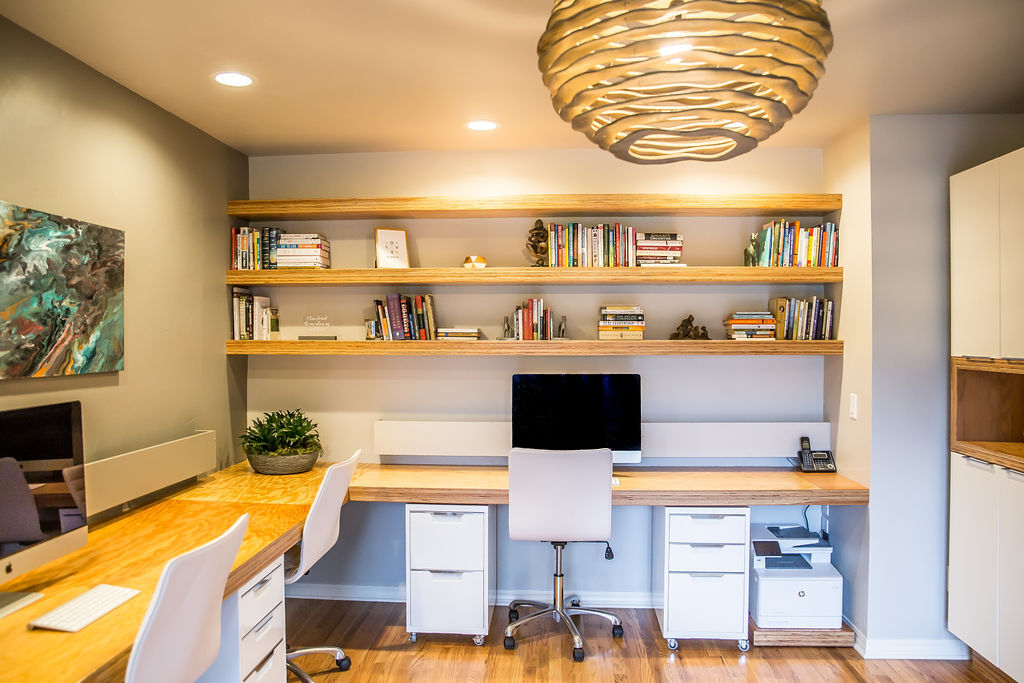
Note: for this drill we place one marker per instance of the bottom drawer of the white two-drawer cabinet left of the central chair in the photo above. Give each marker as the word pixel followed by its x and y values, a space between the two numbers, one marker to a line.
pixel 447 603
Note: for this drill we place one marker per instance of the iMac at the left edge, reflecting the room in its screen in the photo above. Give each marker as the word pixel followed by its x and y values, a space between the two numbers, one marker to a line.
pixel 42 492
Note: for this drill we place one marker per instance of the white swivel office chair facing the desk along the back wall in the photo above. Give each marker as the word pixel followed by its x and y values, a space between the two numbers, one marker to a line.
pixel 560 497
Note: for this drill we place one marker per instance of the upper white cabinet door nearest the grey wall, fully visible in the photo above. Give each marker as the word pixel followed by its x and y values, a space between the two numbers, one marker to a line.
pixel 974 262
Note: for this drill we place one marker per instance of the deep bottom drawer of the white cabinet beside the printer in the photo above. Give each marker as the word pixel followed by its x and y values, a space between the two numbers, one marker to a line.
pixel 706 605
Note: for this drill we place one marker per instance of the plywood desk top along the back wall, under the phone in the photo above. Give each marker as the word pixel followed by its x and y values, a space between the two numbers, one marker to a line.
pixel 649 486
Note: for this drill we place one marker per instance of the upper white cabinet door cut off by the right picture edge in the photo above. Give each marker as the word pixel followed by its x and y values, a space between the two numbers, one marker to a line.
pixel 1011 253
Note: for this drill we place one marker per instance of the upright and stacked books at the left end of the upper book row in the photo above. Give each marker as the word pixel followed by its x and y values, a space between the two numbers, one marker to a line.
pixel 272 248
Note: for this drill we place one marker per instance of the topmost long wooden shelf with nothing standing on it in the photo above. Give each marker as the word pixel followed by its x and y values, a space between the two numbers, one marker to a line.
pixel 537 206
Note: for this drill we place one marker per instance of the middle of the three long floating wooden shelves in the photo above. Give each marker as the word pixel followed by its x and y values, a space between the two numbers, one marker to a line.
pixel 539 276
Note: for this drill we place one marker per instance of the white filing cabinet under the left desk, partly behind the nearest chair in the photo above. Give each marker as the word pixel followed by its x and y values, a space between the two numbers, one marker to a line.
pixel 252 632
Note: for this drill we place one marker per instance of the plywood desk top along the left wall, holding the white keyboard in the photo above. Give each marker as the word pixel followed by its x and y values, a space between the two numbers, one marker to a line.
pixel 132 551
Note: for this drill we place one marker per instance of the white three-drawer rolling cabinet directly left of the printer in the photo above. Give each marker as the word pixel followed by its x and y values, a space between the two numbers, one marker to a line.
pixel 700 573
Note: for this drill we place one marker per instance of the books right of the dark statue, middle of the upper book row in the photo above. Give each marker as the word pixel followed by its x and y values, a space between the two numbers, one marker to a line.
pixel 607 245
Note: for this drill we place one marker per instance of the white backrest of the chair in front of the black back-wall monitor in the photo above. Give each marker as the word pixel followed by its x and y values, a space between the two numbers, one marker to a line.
pixel 560 495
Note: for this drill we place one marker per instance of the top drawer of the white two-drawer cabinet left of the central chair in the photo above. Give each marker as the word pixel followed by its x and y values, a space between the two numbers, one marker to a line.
pixel 446 540
